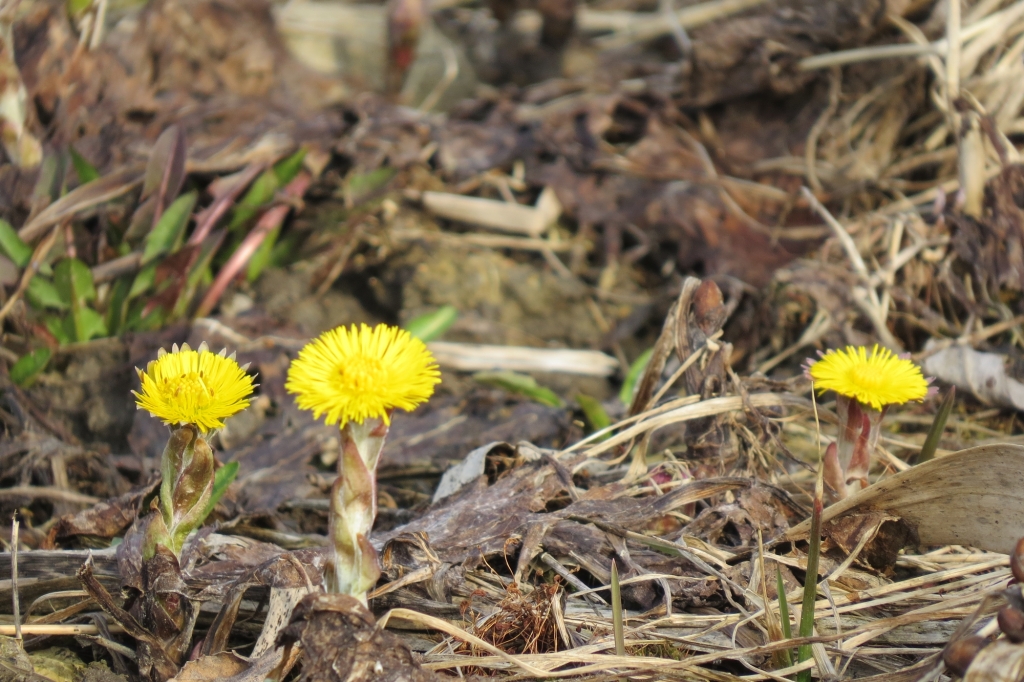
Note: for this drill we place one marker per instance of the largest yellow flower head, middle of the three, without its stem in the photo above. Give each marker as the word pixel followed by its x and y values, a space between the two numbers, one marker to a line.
pixel 356 373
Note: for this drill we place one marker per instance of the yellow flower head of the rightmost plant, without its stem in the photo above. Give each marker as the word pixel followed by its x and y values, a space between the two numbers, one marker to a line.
pixel 877 380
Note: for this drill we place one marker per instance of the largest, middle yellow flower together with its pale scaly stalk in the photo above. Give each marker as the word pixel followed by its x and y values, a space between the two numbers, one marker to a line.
pixel 357 377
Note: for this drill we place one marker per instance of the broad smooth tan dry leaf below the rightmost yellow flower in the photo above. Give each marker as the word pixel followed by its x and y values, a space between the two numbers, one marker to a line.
pixel 974 498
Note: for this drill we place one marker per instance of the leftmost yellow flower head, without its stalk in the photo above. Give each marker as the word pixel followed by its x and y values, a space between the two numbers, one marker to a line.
pixel 194 388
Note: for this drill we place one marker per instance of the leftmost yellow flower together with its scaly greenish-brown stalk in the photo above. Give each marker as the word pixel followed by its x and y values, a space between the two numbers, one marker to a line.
pixel 193 392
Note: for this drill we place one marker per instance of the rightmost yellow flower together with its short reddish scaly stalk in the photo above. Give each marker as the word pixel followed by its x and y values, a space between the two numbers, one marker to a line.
pixel 866 387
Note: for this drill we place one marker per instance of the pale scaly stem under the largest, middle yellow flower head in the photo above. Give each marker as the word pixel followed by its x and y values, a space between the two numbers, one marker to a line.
pixel 354 508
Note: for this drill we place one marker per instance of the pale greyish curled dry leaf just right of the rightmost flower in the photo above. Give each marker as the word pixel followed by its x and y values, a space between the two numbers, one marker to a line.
pixel 986 375
